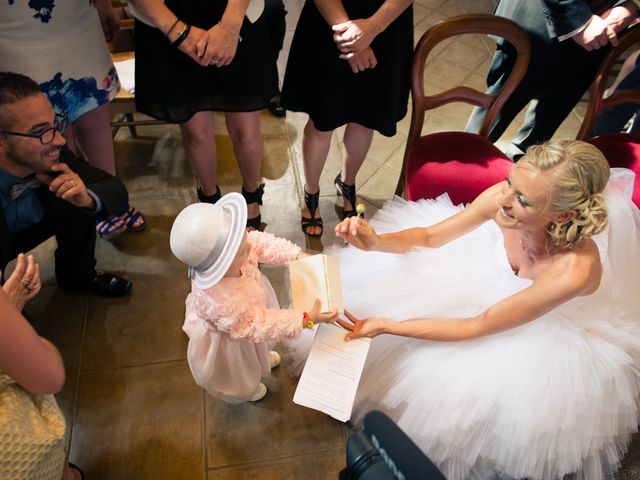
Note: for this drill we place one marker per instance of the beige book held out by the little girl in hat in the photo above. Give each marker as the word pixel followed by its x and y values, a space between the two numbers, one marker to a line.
pixel 316 276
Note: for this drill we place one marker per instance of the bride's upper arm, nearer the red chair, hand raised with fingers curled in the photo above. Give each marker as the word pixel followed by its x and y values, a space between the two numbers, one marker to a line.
pixel 361 234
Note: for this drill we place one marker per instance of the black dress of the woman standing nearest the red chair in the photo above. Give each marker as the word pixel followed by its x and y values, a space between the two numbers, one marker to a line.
pixel 321 84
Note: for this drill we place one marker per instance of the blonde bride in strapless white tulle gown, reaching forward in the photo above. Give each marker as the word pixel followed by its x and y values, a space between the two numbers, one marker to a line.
pixel 524 331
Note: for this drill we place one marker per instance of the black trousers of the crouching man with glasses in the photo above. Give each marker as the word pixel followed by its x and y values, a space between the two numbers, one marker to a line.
pixel 75 234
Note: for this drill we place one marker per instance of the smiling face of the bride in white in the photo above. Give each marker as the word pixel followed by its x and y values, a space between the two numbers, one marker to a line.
pixel 524 200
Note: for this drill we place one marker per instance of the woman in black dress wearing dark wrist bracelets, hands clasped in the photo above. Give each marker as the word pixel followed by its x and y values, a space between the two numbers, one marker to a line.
pixel 198 56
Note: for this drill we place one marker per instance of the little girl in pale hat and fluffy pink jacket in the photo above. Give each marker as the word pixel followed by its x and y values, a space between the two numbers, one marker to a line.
pixel 232 311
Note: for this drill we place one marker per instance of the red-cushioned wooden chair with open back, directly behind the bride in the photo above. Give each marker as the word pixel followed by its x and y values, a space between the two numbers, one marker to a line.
pixel 462 164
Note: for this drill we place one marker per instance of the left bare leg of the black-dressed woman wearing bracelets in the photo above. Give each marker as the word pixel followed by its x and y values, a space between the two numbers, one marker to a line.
pixel 198 139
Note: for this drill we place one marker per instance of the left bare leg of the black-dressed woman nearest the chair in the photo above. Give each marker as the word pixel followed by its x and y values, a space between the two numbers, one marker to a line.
pixel 315 148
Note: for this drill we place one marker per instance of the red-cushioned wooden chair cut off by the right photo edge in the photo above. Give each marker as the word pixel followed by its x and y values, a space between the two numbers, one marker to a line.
pixel 621 149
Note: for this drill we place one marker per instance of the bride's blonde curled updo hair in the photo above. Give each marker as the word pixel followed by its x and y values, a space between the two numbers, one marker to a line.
pixel 576 173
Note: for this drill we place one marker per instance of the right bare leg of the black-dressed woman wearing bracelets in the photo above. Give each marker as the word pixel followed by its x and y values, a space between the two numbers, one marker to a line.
pixel 246 136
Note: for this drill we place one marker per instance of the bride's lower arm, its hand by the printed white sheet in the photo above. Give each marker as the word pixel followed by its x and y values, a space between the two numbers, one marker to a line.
pixel 566 280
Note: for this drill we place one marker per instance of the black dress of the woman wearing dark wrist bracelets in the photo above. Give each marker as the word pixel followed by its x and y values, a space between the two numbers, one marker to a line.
pixel 171 86
